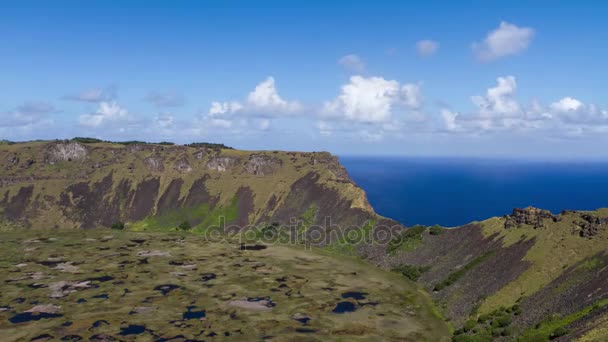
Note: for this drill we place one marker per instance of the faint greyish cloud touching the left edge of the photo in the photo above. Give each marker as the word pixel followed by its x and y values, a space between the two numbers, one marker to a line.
pixel 28 114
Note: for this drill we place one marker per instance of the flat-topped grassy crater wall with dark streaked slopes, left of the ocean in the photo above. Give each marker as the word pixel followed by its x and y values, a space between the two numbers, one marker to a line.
pixel 69 184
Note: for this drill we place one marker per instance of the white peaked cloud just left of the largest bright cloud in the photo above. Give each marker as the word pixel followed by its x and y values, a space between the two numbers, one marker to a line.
pixel 261 105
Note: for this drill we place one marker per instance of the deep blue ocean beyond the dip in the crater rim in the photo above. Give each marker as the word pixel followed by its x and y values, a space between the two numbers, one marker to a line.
pixel 452 192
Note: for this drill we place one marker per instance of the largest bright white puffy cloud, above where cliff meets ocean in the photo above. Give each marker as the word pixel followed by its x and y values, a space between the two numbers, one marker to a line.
pixel 372 100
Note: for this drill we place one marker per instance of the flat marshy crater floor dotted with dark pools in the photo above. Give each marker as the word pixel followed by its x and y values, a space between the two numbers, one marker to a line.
pixel 112 285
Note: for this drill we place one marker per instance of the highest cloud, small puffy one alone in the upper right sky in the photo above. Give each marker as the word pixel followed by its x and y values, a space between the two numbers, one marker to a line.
pixel 506 40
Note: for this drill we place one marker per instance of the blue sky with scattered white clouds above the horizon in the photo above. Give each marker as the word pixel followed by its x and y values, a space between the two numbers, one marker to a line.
pixel 517 79
